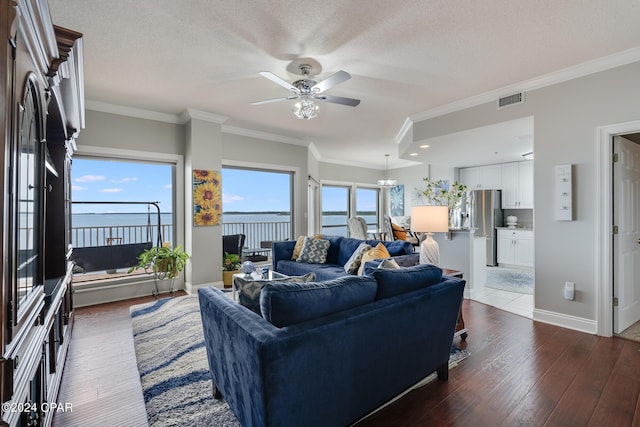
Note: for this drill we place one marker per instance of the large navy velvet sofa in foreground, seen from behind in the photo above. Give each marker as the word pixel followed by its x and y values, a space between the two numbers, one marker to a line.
pixel 328 353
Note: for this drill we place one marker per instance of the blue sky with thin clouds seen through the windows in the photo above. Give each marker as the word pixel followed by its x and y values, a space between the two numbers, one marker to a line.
pixel 242 190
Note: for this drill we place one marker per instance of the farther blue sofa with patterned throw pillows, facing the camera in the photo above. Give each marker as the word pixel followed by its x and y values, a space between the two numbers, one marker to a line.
pixel 340 249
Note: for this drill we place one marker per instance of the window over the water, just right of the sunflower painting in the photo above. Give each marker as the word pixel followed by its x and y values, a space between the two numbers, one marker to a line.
pixel 257 203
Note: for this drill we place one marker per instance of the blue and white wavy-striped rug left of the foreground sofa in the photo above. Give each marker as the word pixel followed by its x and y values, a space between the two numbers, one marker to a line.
pixel 172 362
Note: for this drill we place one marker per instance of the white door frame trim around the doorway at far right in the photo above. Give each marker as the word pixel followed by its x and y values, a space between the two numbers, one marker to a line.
pixel 604 243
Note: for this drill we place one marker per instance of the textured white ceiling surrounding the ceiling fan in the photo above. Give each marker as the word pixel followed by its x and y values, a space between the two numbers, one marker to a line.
pixel 405 57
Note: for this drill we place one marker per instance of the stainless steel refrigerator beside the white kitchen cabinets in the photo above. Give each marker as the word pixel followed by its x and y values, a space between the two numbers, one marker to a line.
pixel 485 214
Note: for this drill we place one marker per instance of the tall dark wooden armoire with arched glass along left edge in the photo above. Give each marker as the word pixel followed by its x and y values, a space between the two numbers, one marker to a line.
pixel 41 113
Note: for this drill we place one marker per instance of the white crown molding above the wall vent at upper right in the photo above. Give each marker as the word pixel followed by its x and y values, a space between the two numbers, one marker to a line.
pixel 590 67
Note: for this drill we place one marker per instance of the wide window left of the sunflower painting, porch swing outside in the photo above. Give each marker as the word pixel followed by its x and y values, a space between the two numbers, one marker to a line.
pixel 109 202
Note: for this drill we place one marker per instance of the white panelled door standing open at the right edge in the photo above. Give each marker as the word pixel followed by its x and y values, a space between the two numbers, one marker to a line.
pixel 626 244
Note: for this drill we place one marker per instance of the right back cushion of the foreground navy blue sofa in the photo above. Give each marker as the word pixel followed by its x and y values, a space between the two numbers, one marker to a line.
pixel 393 282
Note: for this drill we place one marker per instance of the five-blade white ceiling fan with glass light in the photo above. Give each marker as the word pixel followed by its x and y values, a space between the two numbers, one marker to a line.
pixel 308 90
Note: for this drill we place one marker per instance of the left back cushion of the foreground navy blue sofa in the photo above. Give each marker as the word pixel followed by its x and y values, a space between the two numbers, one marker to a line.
pixel 284 304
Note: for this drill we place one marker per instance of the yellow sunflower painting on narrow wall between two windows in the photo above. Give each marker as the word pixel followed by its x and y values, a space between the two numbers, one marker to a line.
pixel 207 198
